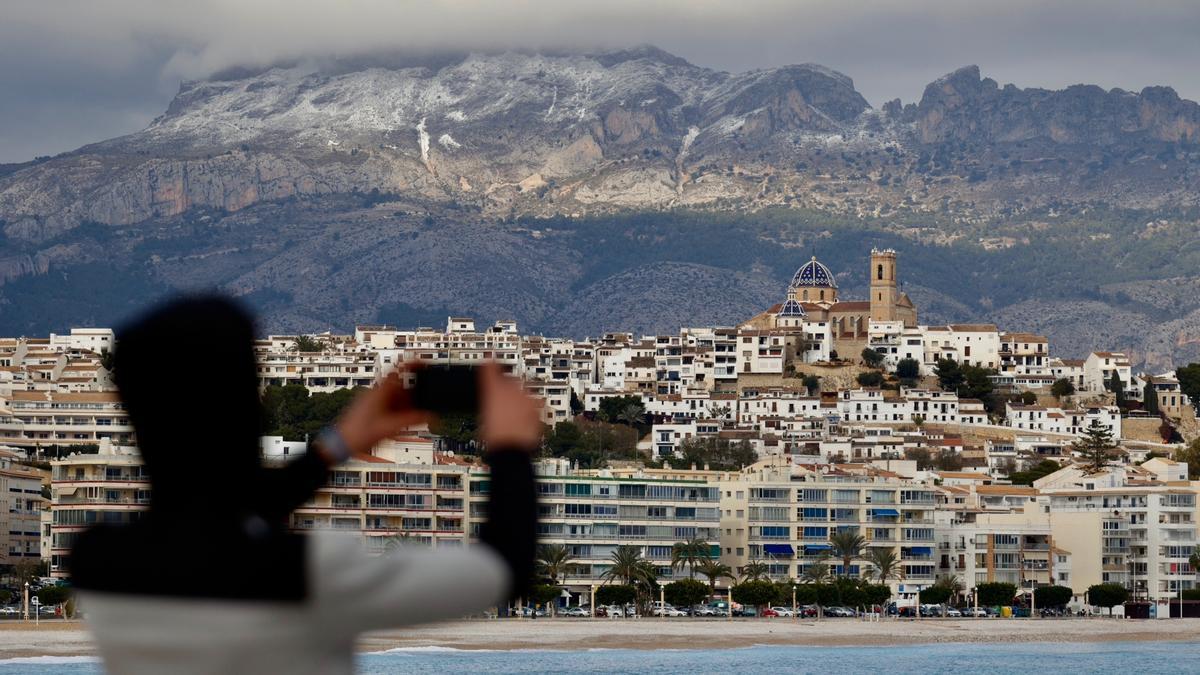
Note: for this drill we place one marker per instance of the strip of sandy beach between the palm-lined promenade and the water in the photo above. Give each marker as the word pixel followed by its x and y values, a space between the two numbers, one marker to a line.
pixel 63 638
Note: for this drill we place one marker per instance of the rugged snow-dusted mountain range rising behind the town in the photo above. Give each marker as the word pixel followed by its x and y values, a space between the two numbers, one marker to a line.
pixel 569 190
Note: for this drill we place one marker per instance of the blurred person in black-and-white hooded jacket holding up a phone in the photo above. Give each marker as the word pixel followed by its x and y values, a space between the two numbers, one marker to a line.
pixel 212 581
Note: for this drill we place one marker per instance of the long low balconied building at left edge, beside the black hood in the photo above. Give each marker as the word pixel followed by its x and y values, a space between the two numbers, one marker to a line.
pixel 33 420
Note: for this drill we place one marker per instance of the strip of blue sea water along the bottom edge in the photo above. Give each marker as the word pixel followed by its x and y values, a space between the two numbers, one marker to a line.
pixel 928 660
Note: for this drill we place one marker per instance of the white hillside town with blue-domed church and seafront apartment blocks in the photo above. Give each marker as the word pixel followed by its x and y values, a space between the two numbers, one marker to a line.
pixel 964 453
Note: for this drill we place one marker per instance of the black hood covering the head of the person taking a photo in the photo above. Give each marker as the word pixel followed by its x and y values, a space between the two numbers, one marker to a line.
pixel 187 374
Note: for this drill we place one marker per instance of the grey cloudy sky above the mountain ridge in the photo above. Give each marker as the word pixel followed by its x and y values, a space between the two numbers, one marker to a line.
pixel 76 71
